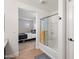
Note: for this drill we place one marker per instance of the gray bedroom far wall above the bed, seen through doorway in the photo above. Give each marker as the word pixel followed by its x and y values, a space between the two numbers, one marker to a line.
pixel 24 27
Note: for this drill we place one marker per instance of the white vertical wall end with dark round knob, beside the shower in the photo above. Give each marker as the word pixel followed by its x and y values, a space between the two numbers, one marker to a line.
pixel 62 29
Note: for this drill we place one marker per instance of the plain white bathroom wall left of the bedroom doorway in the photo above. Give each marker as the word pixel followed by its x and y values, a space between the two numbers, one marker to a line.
pixel 11 27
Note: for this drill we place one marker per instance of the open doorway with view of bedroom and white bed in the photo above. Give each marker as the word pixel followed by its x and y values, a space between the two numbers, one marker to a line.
pixel 27 29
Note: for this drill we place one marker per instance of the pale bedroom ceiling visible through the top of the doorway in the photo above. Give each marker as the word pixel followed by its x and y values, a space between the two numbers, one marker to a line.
pixel 26 14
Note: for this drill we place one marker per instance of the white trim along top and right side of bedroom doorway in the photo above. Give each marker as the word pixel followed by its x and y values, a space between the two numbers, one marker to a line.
pixel 29 8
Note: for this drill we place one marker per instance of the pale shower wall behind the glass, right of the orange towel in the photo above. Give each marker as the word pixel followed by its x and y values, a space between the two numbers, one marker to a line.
pixel 53 32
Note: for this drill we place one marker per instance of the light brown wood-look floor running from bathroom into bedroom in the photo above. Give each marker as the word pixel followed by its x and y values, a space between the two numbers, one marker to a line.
pixel 28 51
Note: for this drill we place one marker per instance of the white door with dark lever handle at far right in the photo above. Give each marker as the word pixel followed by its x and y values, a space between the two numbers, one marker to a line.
pixel 70 29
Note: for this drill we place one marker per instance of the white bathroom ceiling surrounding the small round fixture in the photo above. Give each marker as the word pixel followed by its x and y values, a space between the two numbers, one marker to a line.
pixel 49 5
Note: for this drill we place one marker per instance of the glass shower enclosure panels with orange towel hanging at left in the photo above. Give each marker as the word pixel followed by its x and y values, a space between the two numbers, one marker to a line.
pixel 49 32
